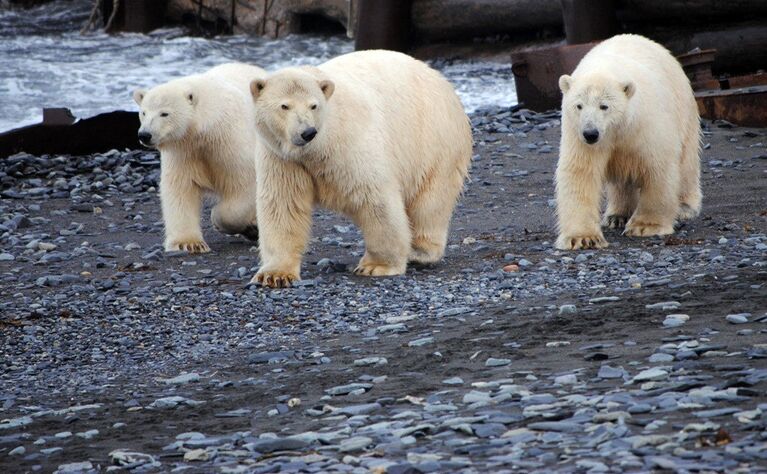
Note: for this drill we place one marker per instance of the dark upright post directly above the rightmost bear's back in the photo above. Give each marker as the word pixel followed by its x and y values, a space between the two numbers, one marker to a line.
pixel 589 20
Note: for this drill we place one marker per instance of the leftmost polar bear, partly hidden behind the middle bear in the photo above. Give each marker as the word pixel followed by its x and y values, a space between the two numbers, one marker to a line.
pixel 203 126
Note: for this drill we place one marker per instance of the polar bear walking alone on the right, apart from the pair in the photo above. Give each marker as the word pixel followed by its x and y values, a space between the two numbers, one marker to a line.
pixel 629 119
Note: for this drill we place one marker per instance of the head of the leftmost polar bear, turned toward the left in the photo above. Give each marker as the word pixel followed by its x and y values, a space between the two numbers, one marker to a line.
pixel 166 113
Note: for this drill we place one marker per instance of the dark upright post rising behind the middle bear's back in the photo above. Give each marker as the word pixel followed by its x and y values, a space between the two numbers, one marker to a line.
pixel 383 24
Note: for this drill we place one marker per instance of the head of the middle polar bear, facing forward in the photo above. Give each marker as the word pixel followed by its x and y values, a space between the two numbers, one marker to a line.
pixel 290 108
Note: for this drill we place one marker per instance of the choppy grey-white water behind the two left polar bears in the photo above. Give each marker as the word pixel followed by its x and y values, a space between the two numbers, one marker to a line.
pixel 46 62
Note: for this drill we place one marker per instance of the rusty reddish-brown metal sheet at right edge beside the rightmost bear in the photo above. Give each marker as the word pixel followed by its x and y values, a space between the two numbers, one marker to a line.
pixel 743 106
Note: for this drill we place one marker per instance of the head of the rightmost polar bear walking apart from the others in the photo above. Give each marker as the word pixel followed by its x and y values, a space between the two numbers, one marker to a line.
pixel 595 105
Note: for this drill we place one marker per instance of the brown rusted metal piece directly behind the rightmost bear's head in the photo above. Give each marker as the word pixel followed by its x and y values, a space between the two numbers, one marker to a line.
pixel 536 73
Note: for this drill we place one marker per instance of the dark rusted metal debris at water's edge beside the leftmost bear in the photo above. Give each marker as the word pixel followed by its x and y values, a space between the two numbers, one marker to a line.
pixel 61 133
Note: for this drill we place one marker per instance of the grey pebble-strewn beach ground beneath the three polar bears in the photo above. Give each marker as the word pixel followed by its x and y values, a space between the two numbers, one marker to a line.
pixel 507 356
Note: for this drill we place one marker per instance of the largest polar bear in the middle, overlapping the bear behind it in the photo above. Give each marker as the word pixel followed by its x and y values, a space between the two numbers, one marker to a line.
pixel 375 135
